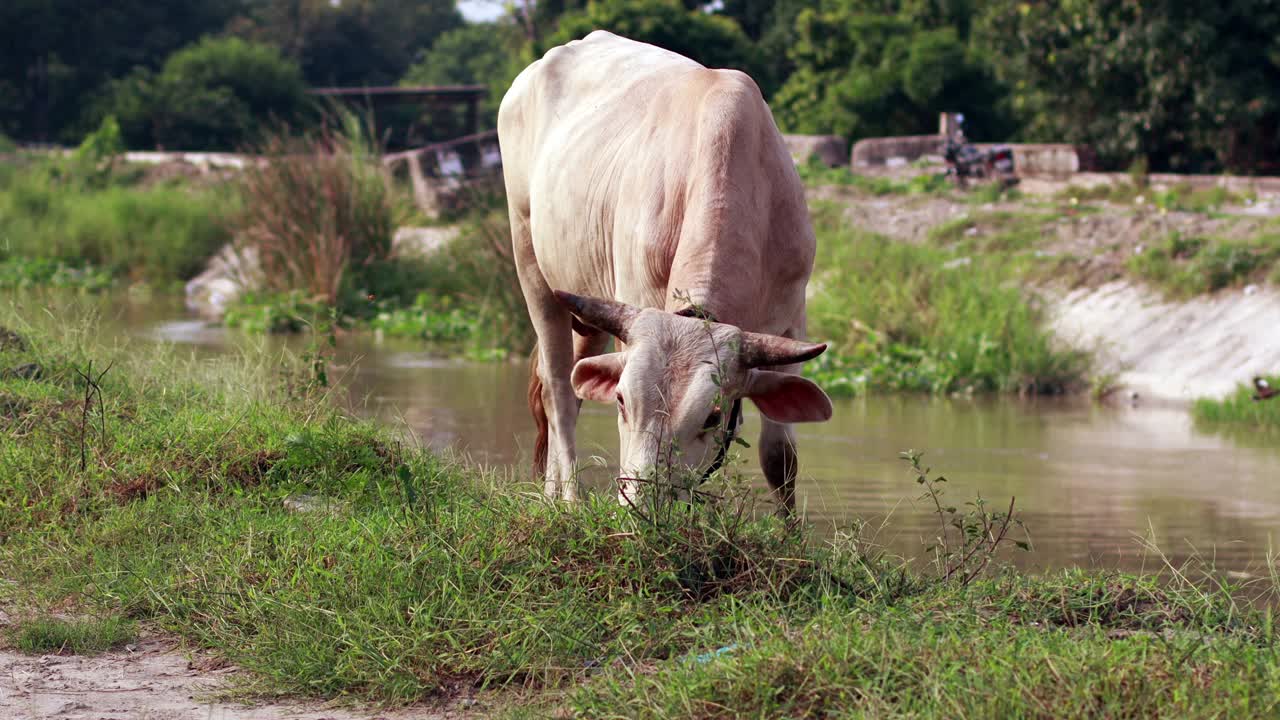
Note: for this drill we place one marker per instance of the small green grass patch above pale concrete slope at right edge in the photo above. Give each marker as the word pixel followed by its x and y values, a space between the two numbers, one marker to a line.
pixel 1192 266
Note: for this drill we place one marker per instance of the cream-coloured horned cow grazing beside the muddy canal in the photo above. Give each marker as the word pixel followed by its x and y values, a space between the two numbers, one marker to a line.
pixel 652 202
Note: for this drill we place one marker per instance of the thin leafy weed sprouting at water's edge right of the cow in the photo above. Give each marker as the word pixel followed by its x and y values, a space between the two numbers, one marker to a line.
pixel 967 540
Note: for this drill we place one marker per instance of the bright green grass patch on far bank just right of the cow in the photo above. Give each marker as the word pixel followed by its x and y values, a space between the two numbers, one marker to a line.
pixel 911 318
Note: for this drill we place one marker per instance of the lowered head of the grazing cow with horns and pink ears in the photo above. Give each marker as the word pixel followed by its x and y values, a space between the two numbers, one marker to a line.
pixel 676 381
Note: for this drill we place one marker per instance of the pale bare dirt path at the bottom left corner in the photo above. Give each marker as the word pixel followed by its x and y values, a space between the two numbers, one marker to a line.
pixel 152 681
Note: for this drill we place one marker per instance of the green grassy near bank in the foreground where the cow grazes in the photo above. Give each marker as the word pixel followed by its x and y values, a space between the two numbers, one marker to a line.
pixel 228 504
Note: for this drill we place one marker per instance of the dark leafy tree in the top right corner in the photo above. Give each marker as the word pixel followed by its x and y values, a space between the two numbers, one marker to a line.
pixel 1180 84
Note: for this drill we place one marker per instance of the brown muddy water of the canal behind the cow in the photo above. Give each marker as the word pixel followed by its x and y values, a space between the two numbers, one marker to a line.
pixel 1090 481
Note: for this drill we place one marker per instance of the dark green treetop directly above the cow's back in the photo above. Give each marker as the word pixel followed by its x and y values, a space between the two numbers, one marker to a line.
pixel 712 40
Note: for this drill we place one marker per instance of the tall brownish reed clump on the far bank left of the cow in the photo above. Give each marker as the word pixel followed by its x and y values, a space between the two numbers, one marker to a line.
pixel 317 212
